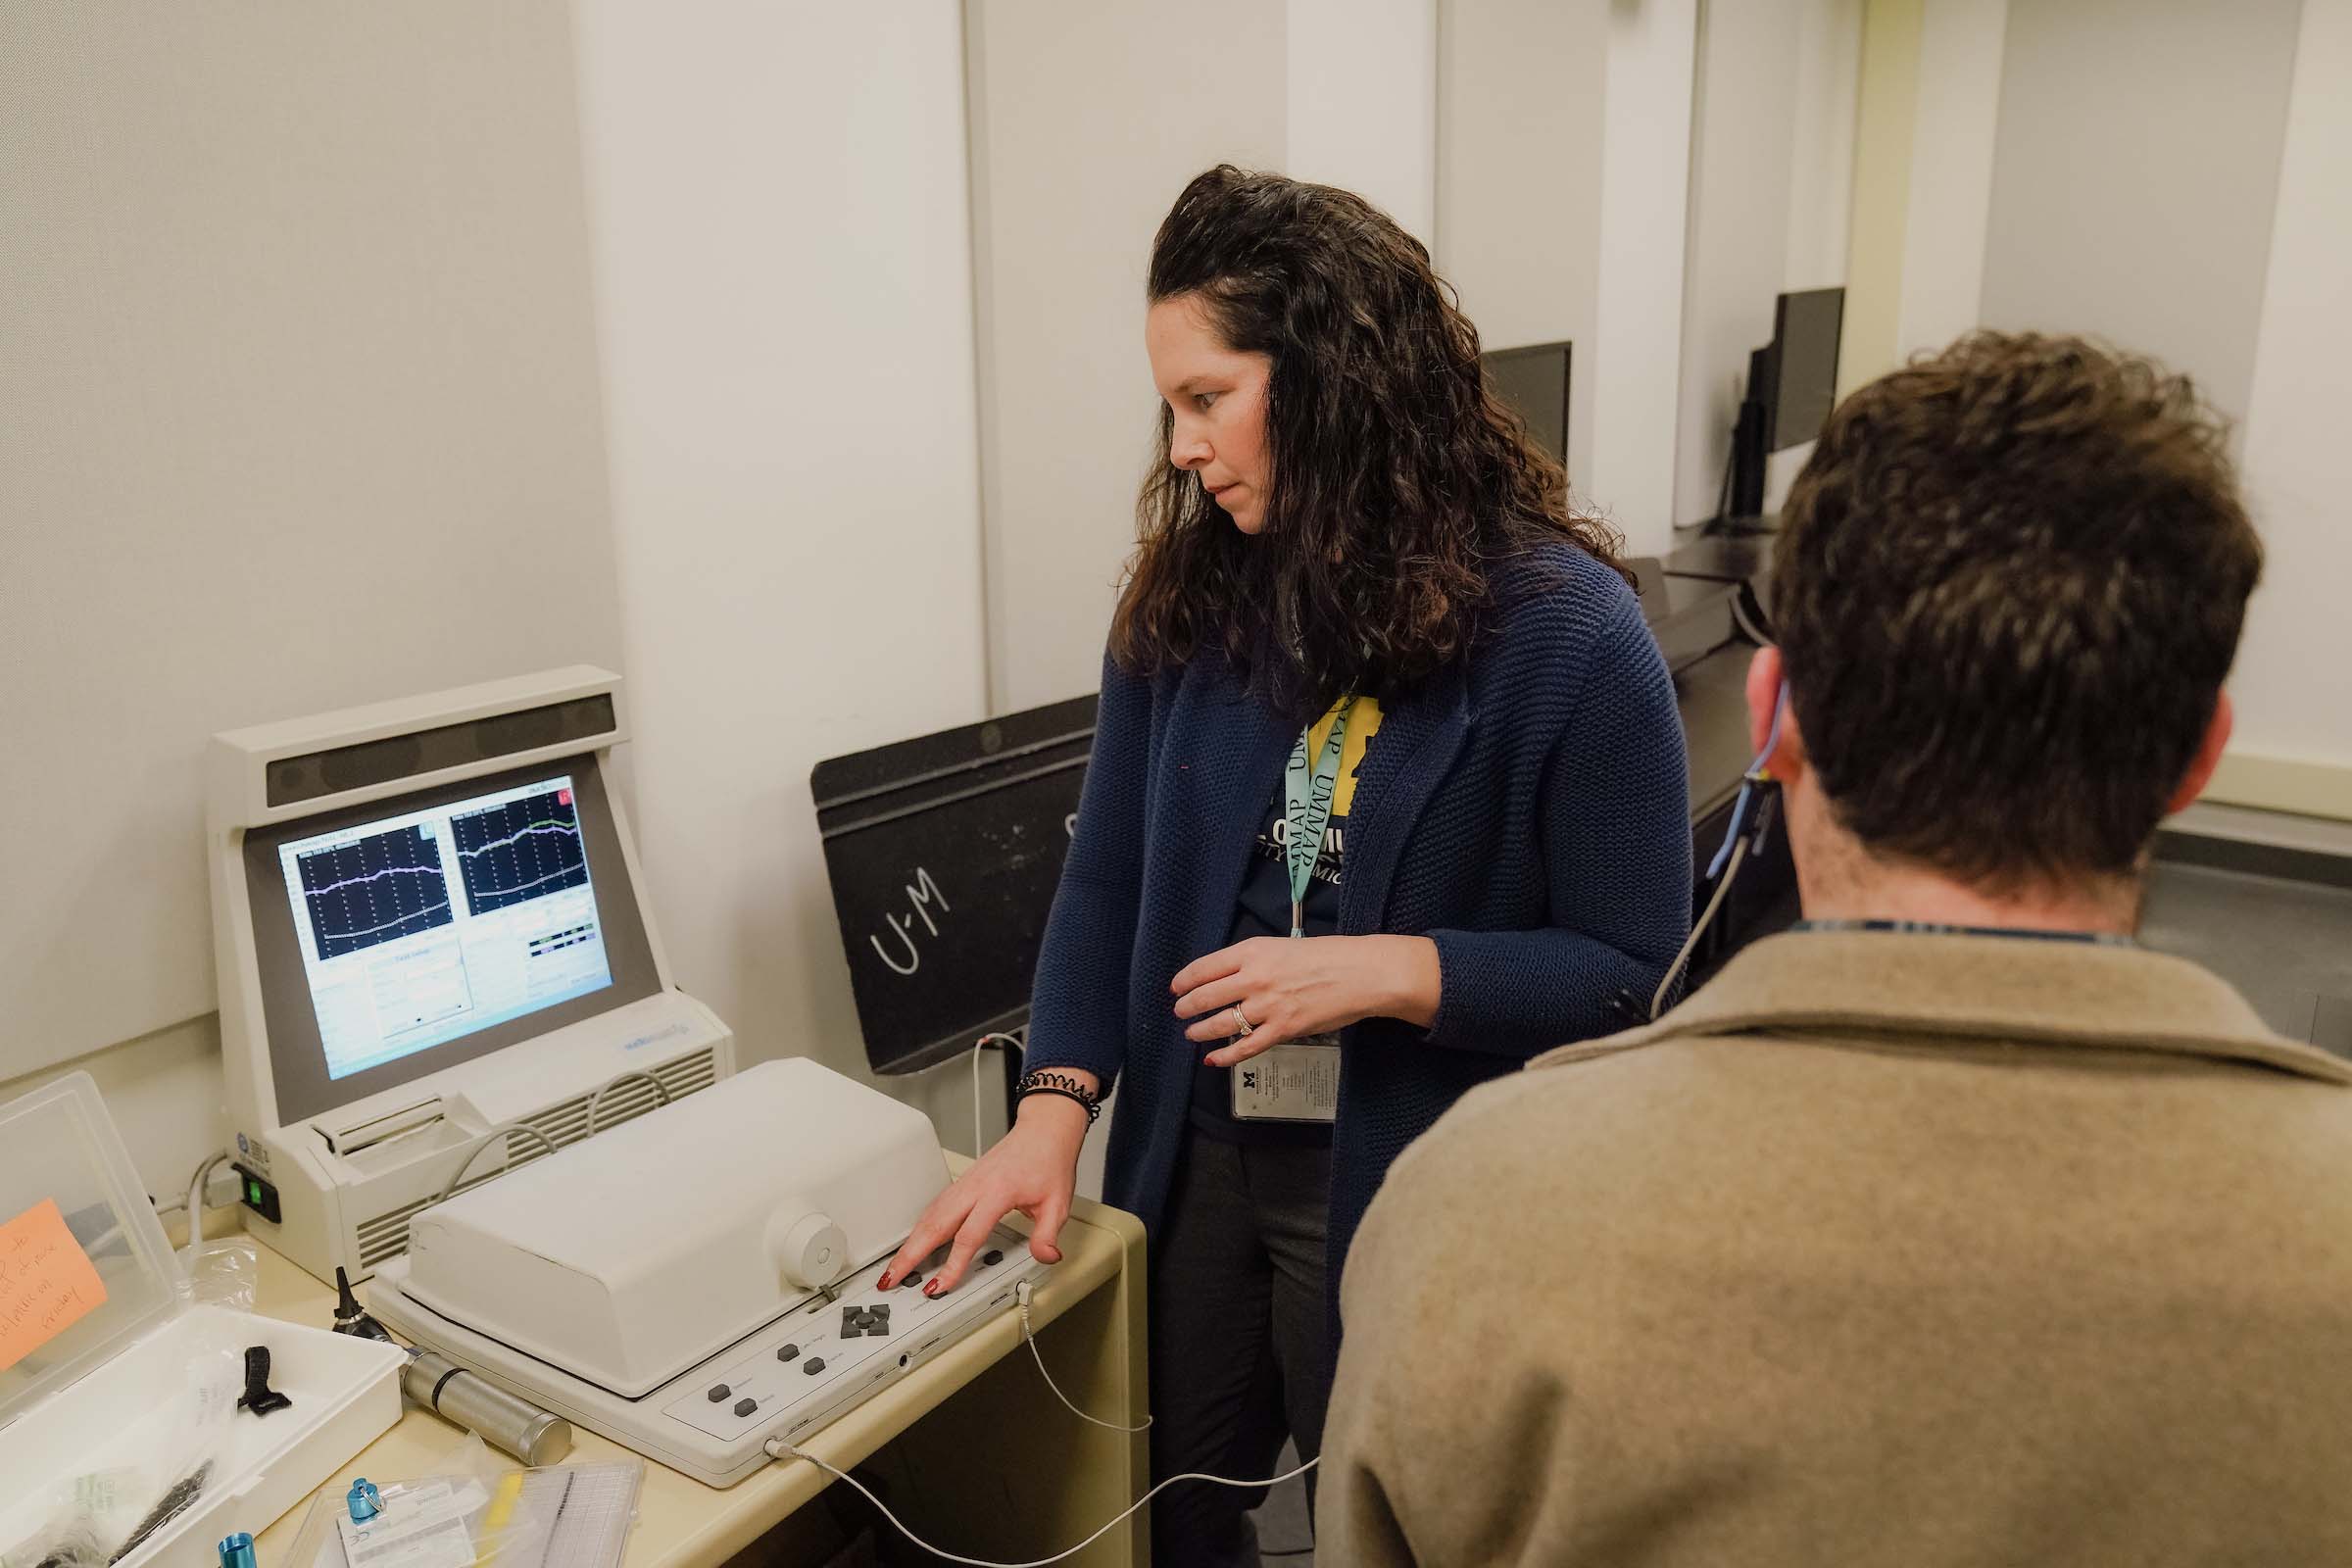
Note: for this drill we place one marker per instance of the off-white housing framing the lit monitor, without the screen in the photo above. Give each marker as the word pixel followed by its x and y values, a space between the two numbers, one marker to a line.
pixel 352 1177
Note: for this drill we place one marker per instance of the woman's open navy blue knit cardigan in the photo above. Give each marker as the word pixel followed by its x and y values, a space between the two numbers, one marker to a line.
pixel 1528 812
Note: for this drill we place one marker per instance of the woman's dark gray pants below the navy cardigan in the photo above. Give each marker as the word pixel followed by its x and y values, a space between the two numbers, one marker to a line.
pixel 1241 1339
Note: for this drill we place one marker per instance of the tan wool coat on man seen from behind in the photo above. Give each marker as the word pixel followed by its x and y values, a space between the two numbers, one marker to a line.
pixel 1883 1249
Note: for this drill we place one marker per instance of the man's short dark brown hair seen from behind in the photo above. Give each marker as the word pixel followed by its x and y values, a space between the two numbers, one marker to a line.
pixel 2010 587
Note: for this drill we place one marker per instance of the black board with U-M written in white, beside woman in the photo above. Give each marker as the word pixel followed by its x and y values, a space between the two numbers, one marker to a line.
pixel 944 857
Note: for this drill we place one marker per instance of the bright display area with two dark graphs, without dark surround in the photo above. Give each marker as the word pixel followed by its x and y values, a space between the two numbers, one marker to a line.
pixel 425 927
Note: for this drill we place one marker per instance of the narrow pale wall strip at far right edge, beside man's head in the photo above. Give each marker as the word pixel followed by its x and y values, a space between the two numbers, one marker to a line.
pixel 2294 674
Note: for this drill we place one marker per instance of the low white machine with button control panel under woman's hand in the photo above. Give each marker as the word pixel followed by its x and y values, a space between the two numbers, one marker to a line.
pixel 704 1278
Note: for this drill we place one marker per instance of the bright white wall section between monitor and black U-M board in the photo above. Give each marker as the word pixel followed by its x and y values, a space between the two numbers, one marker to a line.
pixel 784 307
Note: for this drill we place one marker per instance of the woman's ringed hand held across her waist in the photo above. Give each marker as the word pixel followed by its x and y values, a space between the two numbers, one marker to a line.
pixel 1292 989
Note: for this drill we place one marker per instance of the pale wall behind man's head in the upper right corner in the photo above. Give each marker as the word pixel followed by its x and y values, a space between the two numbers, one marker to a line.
pixel 2057 185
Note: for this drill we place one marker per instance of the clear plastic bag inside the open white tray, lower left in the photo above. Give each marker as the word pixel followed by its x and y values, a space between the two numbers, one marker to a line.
pixel 142 1482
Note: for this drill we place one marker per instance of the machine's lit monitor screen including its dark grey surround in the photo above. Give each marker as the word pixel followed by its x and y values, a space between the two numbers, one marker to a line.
pixel 408 934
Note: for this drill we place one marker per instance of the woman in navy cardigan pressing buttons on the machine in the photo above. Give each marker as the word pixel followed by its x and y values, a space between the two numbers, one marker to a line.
pixel 1387 798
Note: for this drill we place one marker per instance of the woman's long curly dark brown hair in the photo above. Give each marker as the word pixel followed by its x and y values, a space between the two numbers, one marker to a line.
pixel 1398 476
